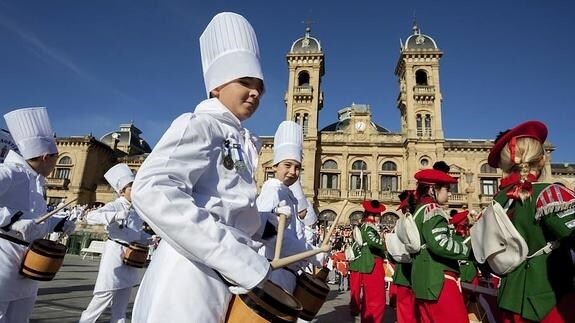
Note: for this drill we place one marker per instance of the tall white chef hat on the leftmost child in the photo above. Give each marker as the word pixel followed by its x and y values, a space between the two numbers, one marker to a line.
pixel 32 131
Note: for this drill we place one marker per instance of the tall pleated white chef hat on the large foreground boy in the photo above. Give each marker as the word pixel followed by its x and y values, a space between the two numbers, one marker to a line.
pixel 229 50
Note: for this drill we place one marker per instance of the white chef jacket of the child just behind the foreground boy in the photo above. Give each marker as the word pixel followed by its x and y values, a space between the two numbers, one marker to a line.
pixel 273 191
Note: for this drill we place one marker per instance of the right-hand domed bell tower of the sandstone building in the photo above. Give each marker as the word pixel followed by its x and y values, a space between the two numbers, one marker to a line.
pixel 419 100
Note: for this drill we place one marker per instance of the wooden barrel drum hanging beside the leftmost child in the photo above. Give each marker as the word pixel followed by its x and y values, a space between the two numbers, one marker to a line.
pixel 43 259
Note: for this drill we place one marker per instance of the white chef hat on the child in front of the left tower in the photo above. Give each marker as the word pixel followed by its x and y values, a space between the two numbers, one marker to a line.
pixel 288 142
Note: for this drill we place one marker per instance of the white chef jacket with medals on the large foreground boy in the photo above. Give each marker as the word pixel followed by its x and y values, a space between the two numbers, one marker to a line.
pixel 205 214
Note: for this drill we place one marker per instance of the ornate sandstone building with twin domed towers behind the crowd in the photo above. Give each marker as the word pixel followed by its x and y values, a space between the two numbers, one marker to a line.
pixel 344 163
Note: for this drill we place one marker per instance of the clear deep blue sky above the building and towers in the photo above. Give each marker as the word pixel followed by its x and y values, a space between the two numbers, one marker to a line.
pixel 96 64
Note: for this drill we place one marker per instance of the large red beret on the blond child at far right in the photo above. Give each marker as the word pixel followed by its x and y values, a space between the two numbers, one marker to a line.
pixel 533 129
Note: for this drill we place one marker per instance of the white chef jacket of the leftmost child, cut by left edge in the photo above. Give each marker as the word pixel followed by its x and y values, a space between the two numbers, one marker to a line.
pixel 21 189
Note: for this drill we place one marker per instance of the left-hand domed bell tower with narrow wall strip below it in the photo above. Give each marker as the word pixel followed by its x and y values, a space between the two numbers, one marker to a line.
pixel 304 99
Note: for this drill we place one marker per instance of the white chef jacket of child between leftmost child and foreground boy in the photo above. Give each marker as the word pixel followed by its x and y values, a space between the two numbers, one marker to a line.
pixel 113 273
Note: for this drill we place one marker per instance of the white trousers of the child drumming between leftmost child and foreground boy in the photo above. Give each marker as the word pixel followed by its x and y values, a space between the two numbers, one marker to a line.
pixel 119 299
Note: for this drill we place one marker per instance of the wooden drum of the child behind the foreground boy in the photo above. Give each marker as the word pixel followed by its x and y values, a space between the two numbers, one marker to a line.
pixel 312 293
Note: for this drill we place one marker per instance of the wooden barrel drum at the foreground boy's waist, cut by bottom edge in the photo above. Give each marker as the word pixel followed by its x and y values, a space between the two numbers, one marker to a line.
pixel 269 304
